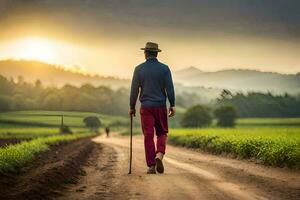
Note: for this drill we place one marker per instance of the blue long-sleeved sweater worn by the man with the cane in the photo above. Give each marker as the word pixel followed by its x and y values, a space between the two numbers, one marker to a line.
pixel 153 80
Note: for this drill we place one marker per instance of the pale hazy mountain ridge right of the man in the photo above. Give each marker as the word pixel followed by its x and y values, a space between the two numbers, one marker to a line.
pixel 240 80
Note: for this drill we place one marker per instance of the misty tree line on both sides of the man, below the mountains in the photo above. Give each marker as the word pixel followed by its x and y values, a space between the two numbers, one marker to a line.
pixel 20 95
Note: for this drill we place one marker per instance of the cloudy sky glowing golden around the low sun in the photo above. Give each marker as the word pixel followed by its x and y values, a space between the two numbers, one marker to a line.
pixel 105 36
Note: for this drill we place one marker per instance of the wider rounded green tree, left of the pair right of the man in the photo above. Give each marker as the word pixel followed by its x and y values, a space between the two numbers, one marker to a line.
pixel 197 116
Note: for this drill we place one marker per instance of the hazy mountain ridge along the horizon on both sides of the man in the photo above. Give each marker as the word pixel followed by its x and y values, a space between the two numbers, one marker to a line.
pixel 190 80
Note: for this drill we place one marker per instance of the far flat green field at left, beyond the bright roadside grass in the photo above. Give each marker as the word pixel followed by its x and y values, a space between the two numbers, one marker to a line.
pixel 24 124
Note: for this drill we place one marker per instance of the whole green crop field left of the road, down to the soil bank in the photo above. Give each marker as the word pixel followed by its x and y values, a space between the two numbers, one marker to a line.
pixel 24 134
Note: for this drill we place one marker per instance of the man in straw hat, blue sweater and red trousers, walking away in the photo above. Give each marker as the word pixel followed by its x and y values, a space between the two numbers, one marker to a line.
pixel 154 82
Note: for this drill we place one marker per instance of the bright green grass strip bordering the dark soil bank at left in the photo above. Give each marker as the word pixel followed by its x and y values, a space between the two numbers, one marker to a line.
pixel 13 157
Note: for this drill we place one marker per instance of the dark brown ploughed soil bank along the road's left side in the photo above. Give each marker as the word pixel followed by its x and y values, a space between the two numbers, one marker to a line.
pixel 47 175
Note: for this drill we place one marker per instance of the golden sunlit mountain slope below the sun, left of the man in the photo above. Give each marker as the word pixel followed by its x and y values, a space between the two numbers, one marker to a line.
pixel 54 75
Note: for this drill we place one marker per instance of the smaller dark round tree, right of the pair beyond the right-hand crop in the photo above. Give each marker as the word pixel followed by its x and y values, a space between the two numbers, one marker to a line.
pixel 226 116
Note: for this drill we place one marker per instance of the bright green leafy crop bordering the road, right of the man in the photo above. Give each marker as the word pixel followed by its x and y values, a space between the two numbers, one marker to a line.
pixel 277 146
